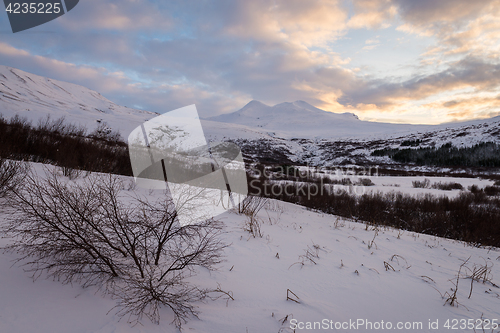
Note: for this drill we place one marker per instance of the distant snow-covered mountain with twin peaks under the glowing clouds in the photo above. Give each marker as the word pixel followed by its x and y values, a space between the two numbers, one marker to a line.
pixel 302 120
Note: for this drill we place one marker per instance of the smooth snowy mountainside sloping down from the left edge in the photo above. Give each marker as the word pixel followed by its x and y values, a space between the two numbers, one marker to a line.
pixel 34 97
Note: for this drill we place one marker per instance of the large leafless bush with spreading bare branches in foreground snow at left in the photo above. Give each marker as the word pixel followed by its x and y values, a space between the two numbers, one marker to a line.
pixel 92 233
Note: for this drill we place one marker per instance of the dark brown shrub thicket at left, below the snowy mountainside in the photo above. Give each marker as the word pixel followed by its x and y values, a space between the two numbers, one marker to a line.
pixel 66 145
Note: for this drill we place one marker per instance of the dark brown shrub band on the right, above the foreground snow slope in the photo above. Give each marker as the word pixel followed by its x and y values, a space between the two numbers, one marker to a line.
pixel 473 216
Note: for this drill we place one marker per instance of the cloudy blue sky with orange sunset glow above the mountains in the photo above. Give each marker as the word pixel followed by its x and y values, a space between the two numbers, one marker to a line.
pixel 425 61
